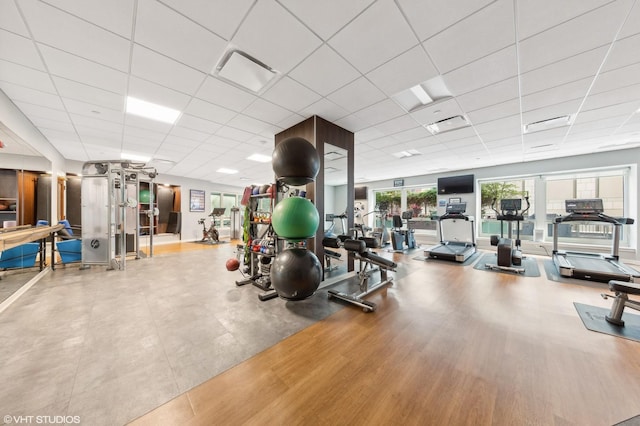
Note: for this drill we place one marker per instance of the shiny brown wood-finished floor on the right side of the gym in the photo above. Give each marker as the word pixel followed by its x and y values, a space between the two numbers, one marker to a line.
pixel 448 345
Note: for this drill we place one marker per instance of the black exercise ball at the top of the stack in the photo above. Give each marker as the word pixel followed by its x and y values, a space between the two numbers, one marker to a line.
pixel 295 161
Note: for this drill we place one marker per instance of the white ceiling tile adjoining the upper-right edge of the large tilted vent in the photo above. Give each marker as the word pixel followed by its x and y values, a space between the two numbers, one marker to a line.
pixel 273 36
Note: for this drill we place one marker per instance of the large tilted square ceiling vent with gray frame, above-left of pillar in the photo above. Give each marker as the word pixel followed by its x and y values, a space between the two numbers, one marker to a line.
pixel 244 70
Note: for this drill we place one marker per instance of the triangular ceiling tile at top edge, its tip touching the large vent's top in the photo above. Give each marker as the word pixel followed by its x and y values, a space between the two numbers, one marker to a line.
pixel 220 16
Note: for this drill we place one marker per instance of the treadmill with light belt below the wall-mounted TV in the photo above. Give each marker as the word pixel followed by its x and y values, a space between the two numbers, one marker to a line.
pixel 457 251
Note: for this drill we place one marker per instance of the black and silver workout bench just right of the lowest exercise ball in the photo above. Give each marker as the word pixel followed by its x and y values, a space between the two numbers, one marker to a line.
pixel 368 259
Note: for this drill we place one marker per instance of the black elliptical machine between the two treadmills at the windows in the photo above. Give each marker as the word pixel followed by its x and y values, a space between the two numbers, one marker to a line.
pixel 508 250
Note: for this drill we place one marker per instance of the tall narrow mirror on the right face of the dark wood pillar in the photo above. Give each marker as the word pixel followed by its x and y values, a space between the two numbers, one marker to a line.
pixel 335 203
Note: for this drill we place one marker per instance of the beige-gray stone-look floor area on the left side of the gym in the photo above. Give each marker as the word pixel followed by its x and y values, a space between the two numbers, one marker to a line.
pixel 108 346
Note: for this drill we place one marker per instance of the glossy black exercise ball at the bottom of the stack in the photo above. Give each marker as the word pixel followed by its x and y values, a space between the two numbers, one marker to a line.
pixel 296 274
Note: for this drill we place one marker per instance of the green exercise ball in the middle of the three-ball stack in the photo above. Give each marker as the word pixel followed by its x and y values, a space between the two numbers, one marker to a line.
pixel 295 218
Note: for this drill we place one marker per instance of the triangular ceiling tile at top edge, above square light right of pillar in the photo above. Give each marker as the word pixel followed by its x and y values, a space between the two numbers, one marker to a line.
pixel 430 17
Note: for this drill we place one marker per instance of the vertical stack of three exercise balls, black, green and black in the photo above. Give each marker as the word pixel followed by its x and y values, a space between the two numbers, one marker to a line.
pixel 296 272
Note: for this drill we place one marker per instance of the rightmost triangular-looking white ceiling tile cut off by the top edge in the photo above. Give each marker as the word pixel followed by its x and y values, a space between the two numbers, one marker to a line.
pixel 534 17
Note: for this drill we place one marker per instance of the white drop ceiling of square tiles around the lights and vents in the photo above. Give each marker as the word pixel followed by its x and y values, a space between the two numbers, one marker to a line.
pixel 69 65
